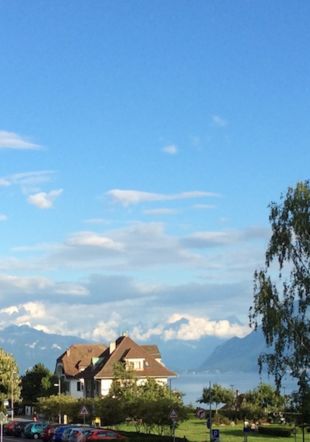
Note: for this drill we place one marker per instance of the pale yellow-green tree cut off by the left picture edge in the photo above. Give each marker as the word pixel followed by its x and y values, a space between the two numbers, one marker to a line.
pixel 9 377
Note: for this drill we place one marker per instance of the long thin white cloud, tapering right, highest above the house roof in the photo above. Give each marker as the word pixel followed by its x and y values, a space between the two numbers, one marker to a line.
pixel 132 197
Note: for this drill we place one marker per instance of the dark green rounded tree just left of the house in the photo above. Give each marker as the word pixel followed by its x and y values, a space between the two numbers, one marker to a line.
pixel 37 382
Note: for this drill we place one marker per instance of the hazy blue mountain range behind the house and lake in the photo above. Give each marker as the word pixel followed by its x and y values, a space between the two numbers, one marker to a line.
pixel 30 346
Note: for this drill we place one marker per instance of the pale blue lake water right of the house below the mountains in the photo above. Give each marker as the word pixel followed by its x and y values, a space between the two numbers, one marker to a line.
pixel 192 384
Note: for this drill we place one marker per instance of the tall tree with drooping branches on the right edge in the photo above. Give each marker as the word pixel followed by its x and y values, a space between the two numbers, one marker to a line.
pixel 282 289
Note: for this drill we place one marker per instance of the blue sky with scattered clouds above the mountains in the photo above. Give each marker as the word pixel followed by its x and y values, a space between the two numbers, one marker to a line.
pixel 140 145
